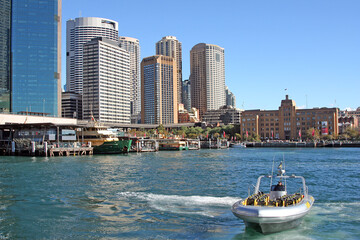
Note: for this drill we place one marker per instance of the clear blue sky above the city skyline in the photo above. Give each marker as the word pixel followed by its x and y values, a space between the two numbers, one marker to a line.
pixel 311 48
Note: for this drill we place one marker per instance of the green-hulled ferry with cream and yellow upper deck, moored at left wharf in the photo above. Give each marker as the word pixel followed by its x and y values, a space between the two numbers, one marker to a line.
pixel 105 141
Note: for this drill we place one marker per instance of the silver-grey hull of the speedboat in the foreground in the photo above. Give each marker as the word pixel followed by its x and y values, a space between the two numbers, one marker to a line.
pixel 273 219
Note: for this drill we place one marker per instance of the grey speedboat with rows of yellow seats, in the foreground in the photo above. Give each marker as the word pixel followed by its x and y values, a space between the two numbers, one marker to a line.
pixel 277 210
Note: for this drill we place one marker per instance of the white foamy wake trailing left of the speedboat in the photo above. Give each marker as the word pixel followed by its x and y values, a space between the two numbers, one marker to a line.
pixel 195 205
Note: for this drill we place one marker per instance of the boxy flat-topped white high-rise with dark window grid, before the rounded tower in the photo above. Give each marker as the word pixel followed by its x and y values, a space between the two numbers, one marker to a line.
pixel 106 81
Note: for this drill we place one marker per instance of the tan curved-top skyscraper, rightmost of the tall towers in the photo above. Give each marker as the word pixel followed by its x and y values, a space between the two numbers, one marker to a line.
pixel 207 77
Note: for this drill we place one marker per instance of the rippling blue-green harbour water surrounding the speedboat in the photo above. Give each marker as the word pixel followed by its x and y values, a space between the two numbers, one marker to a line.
pixel 170 195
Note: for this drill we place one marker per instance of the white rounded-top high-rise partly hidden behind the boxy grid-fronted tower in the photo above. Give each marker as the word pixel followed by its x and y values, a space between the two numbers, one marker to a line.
pixel 78 32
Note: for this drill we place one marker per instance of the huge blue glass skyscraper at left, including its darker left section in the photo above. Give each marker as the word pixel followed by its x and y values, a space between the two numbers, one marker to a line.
pixel 31 32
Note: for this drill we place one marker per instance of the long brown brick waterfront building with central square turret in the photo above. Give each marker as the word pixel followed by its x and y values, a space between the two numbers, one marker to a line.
pixel 289 122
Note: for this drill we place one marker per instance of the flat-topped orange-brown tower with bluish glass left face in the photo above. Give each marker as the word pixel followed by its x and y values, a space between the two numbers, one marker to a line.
pixel 159 99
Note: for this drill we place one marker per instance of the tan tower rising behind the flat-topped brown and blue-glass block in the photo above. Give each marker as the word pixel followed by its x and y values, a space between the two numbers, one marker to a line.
pixel 171 47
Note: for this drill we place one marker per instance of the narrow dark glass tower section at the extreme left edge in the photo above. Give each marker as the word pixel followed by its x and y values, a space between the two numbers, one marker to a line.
pixel 5 24
